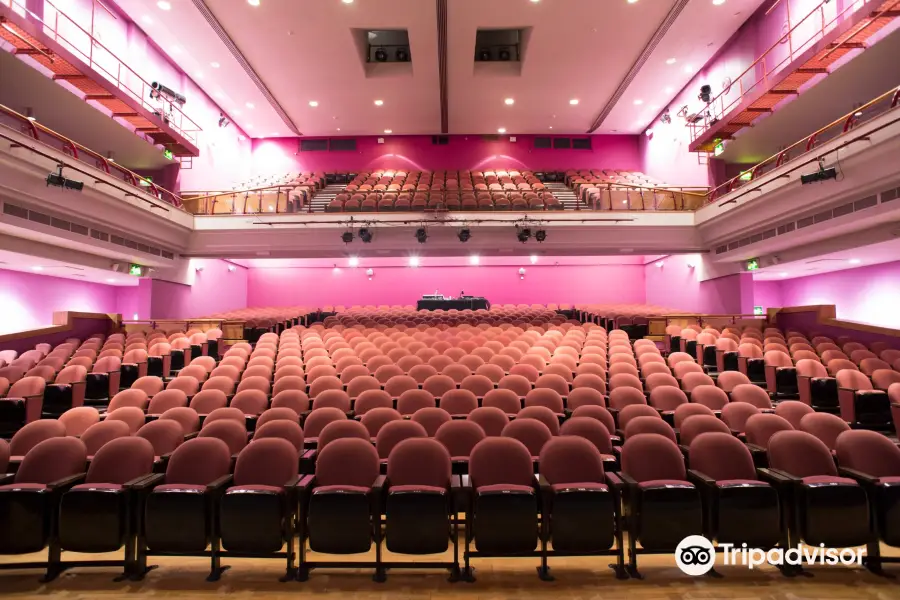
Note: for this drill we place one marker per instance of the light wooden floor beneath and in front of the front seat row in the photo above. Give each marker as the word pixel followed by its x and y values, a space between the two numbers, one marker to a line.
pixel 576 579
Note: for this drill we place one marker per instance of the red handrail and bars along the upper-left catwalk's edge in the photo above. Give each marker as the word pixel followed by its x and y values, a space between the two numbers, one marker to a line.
pixel 176 118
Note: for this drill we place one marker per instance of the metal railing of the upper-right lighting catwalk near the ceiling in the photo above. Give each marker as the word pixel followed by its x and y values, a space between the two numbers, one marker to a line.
pixel 769 64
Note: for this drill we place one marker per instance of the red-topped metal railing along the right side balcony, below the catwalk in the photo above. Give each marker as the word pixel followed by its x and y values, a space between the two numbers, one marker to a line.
pixel 885 103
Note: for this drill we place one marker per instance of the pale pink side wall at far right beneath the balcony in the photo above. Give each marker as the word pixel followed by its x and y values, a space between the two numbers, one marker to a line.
pixel 867 294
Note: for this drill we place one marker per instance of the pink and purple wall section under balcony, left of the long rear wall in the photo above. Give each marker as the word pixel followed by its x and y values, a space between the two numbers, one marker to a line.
pixel 215 289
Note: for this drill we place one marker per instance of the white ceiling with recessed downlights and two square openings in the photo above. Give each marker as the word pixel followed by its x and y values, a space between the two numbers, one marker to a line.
pixel 578 49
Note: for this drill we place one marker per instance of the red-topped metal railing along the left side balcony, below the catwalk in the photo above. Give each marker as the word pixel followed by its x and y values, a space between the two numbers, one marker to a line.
pixel 46 136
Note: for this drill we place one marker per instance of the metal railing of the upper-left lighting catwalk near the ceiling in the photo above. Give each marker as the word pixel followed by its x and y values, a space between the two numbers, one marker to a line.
pixel 84 45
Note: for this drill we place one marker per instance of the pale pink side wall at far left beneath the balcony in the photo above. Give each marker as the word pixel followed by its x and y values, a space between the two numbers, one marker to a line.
pixel 28 300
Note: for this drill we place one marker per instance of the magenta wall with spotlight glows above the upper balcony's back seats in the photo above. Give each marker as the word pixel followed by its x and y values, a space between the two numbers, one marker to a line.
pixel 278 156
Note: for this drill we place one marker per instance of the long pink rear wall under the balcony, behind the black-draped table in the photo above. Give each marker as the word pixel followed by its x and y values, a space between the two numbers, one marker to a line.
pixel 403 285
